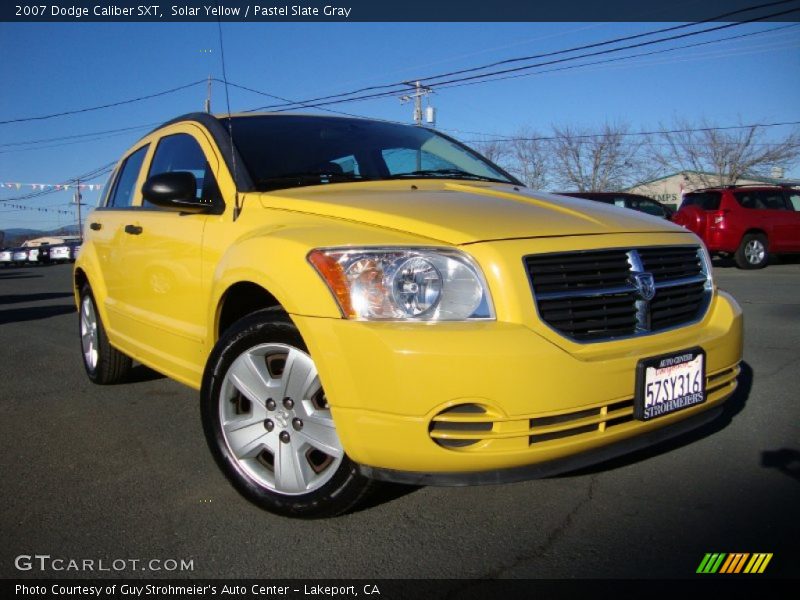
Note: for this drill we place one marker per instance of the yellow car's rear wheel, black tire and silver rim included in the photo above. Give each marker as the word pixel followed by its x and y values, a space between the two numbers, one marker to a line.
pixel 104 364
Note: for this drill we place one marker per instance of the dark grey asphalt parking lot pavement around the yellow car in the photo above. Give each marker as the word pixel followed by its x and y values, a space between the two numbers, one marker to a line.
pixel 123 472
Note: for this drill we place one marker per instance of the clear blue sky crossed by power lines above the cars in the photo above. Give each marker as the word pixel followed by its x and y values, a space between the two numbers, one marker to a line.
pixel 49 68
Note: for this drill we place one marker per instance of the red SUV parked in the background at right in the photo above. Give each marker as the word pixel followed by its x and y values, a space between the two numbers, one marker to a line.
pixel 748 222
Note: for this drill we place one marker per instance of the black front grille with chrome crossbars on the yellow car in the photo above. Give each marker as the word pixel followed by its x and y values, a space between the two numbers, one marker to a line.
pixel 593 295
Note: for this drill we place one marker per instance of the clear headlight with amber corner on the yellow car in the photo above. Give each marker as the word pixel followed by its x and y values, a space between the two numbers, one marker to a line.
pixel 398 284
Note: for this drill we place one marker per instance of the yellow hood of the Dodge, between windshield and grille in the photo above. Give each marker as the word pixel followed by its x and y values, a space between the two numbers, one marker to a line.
pixel 463 212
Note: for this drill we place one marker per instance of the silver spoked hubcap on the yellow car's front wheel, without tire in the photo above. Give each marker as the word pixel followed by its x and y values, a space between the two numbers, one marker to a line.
pixel 279 456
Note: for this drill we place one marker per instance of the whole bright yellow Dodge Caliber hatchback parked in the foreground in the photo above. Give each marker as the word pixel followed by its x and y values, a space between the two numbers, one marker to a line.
pixel 361 301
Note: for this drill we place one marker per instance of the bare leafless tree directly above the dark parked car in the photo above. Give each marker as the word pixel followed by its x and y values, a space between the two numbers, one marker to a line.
pixel 610 160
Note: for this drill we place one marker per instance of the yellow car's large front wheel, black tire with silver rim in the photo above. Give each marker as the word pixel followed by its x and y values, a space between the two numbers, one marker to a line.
pixel 268 424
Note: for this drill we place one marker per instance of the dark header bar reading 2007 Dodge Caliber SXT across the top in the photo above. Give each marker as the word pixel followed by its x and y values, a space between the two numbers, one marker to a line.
pixel 276 11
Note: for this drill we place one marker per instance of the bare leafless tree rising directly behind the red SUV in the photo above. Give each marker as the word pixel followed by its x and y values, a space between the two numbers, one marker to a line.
pixel 713 156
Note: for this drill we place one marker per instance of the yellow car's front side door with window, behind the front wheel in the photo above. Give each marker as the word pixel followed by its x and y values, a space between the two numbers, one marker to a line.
pixel 166 308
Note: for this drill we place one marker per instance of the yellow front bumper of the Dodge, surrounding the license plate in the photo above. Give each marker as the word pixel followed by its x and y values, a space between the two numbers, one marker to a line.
pixel 389 385
